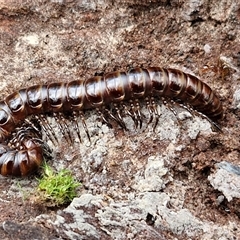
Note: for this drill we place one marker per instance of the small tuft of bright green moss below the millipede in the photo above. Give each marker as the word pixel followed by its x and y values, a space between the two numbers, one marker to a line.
pixel 57 188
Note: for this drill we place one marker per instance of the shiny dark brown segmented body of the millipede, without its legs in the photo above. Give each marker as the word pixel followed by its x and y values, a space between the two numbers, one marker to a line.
pixel 96 92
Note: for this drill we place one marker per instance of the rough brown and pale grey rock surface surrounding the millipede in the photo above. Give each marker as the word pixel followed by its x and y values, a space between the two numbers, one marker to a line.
pixel 179 181
